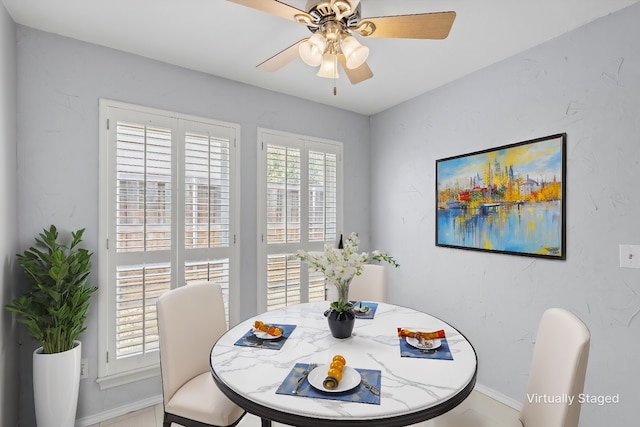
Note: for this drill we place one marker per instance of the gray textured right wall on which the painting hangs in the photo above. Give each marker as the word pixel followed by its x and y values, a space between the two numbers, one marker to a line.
pixel 587 84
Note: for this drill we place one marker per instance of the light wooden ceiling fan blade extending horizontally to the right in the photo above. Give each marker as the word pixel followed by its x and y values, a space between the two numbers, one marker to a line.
pixel 420 26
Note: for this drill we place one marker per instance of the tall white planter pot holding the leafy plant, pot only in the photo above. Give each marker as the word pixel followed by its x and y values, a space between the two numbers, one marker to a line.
pixel 56 381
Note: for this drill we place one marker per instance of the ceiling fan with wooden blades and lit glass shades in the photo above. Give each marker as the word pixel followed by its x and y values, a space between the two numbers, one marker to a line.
pixel 333 23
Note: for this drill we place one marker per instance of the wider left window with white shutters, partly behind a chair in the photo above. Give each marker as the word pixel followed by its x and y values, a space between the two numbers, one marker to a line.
pixel 167 219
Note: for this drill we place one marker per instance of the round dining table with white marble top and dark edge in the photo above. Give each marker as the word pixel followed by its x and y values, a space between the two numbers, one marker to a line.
pixel 253 373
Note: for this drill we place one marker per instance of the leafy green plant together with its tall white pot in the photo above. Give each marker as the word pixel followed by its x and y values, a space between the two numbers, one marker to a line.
pixel 54 309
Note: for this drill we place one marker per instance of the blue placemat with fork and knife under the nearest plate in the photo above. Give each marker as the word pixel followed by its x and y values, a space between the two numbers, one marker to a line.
pixel 359 394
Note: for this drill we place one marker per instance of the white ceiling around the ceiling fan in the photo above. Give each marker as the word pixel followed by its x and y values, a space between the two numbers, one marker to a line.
pixel 229 40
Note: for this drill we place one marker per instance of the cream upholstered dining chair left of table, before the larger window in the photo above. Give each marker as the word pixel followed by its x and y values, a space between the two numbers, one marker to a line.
pixel 190 320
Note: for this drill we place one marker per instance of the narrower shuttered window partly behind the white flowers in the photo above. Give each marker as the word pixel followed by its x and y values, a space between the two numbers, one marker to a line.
pixel 300 180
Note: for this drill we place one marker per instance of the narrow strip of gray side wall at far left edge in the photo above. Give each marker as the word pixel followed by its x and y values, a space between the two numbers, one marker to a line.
pixel 9 236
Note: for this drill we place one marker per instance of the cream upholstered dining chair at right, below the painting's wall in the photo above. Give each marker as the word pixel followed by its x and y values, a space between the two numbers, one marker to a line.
pixel 558 368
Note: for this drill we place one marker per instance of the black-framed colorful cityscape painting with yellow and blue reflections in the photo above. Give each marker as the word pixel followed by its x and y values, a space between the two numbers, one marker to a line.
pixel 508 199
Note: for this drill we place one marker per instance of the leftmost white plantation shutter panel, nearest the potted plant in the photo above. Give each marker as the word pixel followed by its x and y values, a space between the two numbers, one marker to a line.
pixel 143 234
